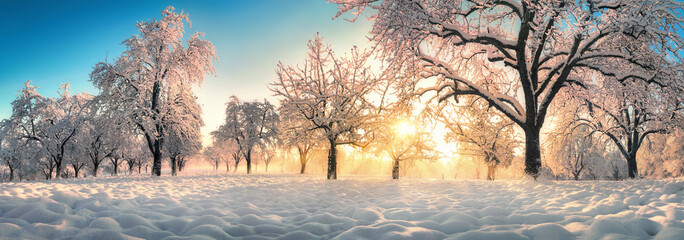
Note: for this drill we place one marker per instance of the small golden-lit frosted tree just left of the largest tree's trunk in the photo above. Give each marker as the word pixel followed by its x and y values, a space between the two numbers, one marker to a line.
pixel 480 132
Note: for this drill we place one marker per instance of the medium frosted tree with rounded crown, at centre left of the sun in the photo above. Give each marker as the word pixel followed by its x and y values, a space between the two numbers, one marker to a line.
pixel 330 93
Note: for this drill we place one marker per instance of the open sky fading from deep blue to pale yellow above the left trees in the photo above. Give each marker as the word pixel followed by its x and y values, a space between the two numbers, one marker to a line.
pixel 56 42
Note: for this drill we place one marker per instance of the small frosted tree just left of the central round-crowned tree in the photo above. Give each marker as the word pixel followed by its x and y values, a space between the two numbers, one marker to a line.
pixel 248 124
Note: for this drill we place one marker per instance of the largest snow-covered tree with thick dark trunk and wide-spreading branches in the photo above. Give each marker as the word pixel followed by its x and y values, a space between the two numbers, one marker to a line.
pixel 517 54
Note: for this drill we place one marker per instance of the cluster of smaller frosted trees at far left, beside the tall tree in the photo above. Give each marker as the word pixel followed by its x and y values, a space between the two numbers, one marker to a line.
pixel 62 136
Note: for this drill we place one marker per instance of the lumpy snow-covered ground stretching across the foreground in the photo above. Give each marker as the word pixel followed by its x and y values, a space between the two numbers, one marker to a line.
pixel 309 207
